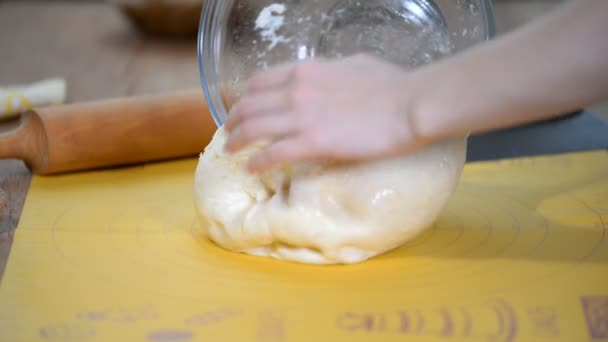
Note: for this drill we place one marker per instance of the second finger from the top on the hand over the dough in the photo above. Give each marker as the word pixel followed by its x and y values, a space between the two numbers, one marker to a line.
pixel 251 106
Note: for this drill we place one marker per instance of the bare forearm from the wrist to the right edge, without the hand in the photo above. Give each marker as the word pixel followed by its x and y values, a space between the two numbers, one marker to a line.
pixel 553 66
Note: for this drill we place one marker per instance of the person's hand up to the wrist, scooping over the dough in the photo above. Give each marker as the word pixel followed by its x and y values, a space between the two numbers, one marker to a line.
pixel 352 109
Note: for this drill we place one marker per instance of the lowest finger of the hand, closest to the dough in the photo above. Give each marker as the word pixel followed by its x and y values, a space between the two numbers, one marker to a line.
pixel 281 152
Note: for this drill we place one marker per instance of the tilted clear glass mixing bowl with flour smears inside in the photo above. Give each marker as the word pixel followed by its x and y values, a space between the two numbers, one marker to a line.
pixel 240 37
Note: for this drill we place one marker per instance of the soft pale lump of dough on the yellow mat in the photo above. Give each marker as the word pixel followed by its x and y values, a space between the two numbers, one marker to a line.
pixel 322 214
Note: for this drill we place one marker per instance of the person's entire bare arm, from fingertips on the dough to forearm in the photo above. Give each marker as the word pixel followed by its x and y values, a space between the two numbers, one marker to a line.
pixel 362 108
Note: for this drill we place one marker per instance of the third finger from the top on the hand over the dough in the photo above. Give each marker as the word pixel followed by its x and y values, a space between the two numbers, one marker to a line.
pixel 271 127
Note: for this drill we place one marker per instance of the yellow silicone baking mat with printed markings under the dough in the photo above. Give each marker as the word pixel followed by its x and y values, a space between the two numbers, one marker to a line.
pixel 519 254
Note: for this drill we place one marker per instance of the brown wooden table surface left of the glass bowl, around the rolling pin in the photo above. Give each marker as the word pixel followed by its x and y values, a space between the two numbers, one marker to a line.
pixel 99 54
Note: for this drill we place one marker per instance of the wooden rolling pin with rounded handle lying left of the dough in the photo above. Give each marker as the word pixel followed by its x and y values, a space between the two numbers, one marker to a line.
pixel 109 133
